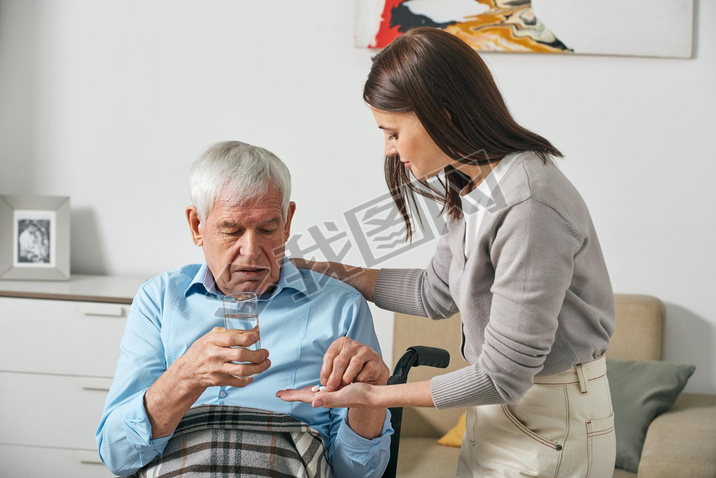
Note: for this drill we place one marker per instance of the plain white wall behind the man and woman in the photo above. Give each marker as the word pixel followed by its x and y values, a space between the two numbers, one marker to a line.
pixel 109 103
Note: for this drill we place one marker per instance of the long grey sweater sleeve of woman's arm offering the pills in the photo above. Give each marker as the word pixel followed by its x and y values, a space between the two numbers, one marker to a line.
pixel 533 257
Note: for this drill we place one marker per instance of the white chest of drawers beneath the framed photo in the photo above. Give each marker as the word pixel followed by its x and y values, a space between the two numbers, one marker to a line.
pixel 59 345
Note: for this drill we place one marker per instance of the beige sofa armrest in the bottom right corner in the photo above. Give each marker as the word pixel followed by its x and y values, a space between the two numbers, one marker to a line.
pixel 682 441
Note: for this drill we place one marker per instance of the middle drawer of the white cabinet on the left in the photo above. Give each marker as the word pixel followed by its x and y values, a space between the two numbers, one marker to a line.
pixel 51 411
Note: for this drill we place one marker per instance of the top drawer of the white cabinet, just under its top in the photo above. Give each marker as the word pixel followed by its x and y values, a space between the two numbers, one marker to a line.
pixel 62 337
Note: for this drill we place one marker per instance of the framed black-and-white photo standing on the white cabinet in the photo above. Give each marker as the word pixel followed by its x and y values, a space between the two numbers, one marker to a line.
pixel 34 237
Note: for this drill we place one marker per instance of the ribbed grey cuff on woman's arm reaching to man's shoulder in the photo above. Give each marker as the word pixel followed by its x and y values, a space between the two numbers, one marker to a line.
pixel 399 290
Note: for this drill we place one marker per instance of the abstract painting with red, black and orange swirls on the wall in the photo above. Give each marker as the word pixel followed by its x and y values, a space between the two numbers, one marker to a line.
pixel 662 28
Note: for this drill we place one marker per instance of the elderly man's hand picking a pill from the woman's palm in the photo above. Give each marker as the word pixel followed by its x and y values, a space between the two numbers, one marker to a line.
pixel 347 361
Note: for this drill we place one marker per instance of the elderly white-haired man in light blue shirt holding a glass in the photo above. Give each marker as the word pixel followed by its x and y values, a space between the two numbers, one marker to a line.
pixel 178 367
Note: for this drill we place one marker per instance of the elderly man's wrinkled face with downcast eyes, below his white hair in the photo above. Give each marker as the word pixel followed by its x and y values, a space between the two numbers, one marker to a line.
pixel 244 245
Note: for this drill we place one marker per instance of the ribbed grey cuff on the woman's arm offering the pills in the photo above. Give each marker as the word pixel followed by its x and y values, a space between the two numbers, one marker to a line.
pixel 467 387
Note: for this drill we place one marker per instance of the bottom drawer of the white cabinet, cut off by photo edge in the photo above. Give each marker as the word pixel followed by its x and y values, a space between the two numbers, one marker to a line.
pixel 29 461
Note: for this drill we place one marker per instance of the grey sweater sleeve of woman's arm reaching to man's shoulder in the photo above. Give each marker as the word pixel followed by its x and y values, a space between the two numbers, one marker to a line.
pixel 418 292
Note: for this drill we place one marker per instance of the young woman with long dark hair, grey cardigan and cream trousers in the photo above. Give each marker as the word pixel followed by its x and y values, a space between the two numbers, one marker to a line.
pixel 521 262
